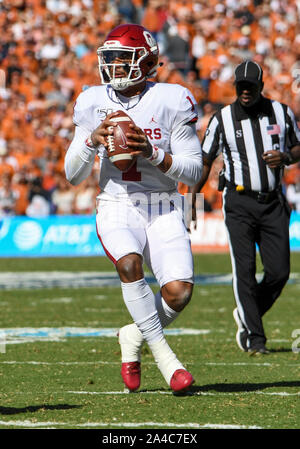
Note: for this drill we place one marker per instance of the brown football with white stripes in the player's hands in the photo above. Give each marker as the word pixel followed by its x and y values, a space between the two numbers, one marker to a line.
pixel 118 151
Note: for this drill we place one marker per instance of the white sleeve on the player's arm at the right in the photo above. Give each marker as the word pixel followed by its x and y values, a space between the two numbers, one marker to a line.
pixel 186 155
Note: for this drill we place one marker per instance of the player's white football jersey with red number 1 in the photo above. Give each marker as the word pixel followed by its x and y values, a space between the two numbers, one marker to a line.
pixel 158 111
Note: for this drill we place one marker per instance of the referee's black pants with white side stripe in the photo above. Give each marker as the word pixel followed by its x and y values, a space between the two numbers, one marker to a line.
pixel 248 223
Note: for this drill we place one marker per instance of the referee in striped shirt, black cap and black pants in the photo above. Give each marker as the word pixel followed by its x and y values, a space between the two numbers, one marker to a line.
pixel 258 137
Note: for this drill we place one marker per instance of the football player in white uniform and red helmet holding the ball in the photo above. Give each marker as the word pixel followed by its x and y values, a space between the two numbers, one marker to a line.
pixel 139 218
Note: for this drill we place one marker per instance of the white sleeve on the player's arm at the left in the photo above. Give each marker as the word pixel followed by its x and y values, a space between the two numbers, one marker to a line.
pixel 79 159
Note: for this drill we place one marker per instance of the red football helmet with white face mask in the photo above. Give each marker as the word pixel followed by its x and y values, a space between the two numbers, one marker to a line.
pixel 128 56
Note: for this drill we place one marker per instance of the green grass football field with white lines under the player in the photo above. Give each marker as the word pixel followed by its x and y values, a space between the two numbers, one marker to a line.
pixel 73 382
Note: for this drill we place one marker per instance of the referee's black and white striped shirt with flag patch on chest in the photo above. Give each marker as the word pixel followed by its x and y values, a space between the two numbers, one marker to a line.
pixel 243 139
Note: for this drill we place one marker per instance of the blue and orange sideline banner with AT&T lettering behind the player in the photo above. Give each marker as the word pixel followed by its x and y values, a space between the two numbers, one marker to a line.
pixel 61 236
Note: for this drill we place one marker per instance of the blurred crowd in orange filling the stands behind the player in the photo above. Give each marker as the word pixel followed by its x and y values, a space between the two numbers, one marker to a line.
pixel 48 56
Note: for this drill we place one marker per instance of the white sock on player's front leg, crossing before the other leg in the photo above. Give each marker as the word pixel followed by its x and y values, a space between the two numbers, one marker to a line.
pixel 140 302
